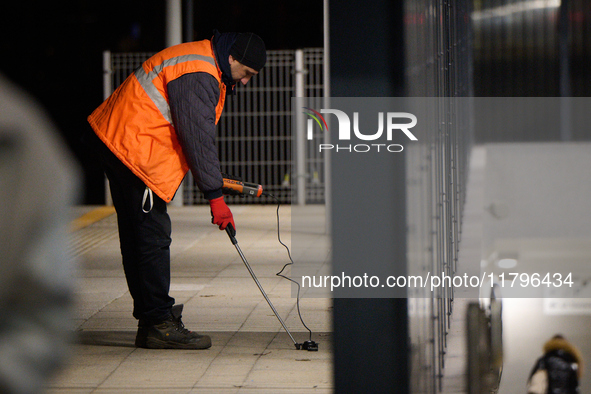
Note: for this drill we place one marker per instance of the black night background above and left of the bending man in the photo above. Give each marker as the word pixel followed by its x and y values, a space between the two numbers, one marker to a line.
pixel 54 49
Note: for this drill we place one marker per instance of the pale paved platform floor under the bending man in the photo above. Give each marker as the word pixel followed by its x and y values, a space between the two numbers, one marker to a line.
pixel 251 352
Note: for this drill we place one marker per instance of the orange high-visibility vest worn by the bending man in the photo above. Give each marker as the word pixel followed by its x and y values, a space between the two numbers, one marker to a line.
pixel 135 121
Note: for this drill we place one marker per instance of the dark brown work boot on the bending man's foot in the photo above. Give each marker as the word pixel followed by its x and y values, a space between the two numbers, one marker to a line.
pixel 170 334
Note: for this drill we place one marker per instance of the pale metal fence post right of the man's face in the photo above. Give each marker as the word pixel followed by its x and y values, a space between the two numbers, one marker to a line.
pixel 300 158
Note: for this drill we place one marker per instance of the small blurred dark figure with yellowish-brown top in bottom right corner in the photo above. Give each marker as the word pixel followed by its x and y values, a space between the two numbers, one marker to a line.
pixel 558 371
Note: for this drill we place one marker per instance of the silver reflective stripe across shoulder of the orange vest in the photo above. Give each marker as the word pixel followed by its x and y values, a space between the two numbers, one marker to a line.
pixel 145 80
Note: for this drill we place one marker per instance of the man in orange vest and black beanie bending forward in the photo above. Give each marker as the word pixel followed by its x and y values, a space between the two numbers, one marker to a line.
pixel 156 126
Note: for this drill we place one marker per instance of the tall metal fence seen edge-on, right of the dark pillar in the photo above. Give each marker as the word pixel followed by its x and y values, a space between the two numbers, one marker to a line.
pixel 438 65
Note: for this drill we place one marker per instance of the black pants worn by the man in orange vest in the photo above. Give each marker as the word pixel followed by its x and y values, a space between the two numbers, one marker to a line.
pixel 144 238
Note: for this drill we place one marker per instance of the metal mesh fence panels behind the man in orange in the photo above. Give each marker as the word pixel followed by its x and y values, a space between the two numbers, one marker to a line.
pixel 254 132
